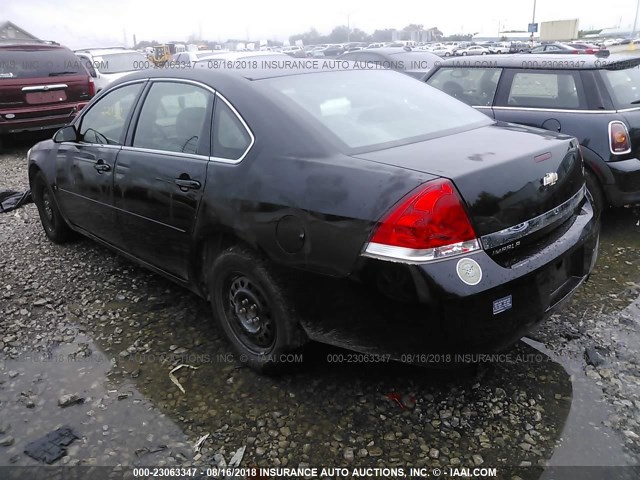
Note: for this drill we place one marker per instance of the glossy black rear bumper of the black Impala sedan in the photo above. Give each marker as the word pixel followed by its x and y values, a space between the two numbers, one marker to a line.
pixel 448 315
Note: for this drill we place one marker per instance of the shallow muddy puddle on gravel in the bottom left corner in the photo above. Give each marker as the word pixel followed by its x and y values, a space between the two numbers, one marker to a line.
pixel 113 422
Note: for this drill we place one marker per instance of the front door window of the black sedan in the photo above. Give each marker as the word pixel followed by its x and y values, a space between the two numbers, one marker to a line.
pixel 105 122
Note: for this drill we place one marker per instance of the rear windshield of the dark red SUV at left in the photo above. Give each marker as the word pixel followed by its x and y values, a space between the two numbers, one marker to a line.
pixel 27 63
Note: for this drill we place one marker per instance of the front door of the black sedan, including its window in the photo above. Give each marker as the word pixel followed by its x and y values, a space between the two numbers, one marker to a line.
pixel 85 168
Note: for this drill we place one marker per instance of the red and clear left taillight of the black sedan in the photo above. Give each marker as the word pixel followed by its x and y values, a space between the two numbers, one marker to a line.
pixel 429 224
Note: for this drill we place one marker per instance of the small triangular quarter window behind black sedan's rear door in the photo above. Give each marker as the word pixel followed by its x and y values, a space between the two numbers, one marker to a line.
pixel 231 140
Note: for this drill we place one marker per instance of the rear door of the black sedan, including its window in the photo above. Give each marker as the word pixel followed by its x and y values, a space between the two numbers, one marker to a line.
pixel 160 175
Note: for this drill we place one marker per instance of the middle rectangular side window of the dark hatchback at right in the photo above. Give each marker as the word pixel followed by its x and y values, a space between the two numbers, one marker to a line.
pixel 557 89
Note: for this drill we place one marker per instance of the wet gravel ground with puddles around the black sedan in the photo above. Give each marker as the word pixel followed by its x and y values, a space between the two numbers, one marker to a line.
pixel 79 320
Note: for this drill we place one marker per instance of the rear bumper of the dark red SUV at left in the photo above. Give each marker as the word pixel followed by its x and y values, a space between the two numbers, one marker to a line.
pixel 35 119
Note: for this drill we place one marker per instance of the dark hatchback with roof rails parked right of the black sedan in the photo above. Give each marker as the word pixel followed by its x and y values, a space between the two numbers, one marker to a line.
pixel 595 100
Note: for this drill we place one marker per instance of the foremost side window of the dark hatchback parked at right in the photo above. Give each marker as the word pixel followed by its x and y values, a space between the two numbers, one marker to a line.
pixel 473 86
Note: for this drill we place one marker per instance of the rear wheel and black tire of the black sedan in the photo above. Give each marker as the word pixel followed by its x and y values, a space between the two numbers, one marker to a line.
pixel 251 305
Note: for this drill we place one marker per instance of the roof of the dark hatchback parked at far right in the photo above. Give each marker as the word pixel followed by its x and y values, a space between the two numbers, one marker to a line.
pixel 555 61
